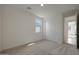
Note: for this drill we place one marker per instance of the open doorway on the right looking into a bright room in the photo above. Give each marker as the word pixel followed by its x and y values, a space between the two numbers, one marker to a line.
pixel 70 30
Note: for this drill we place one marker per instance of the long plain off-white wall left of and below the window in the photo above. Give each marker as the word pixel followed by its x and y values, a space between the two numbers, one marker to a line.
pixel 18 27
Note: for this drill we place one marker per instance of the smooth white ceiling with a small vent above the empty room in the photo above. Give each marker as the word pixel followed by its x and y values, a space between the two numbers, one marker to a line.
pixel 47 9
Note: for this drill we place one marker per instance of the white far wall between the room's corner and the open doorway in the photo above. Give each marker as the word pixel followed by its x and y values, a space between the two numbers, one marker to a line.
pixel 54 27
